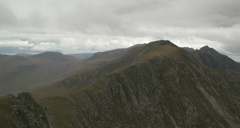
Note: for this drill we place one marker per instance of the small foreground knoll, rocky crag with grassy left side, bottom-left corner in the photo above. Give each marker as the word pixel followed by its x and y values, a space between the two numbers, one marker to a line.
pixel 24 112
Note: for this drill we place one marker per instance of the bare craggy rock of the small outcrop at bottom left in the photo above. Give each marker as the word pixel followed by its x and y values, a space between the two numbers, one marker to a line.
pixel 26 113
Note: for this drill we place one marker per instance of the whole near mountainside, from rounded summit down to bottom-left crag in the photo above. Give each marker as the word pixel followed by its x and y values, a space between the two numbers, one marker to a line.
pixel 157 85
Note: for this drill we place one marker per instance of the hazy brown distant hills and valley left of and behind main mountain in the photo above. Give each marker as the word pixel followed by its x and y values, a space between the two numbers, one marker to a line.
pixel 24 71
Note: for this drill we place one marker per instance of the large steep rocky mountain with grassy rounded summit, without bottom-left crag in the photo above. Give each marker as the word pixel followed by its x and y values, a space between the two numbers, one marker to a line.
pixel 129 96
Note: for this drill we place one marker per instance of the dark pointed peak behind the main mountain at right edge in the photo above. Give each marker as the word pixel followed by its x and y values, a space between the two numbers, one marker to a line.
pixel 210 57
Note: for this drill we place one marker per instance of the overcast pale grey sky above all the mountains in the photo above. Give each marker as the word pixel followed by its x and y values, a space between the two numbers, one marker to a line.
pixel 78 26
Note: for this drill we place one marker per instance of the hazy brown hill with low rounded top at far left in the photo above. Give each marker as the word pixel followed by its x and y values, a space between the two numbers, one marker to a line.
pixel 19 73
